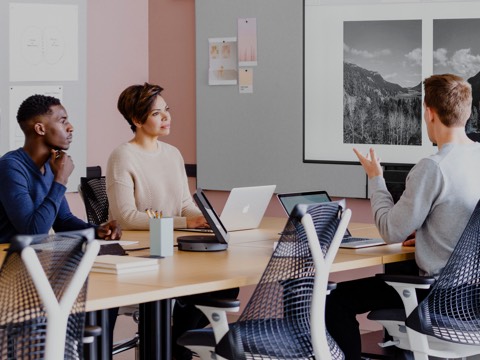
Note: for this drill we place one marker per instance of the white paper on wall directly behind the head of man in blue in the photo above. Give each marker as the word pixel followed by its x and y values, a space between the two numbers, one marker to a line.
pixel 17 95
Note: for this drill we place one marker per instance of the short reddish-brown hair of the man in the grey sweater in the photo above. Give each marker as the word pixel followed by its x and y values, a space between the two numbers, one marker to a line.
pixel 450 96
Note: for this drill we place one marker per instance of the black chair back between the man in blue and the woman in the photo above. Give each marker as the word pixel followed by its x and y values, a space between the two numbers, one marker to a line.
pixel 94 194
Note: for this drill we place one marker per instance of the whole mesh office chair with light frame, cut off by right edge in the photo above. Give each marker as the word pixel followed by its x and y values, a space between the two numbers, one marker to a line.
pixel 446 323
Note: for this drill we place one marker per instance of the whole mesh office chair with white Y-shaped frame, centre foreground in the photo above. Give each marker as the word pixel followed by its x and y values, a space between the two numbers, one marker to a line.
pixel 284 318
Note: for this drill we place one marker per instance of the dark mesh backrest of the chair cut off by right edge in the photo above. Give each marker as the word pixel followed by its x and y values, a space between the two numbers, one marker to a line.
pixel 451 311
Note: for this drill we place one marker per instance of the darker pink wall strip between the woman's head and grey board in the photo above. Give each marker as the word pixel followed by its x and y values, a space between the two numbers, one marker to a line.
pixel 172 66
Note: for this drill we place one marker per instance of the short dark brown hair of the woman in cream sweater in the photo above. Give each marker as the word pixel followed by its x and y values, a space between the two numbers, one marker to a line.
pixel 136 101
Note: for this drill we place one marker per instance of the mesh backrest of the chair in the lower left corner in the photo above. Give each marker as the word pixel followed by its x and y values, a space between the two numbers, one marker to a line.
pixel 24 318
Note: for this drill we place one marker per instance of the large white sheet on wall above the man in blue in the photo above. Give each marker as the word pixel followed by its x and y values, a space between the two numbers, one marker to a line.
pixel 43 42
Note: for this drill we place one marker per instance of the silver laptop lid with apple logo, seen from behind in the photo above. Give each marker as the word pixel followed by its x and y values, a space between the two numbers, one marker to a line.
pixel 246 206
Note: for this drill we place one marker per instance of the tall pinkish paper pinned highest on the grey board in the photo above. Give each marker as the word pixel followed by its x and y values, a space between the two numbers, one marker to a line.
pixel 247 42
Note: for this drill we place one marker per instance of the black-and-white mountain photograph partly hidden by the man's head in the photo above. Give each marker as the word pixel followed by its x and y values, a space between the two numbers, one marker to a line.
pixel 456 50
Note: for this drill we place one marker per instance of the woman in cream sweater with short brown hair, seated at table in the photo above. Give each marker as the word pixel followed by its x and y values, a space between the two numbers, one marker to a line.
pixel 146 173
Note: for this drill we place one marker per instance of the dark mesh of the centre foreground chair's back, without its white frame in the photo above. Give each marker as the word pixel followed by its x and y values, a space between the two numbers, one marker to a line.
pixel 276 321
